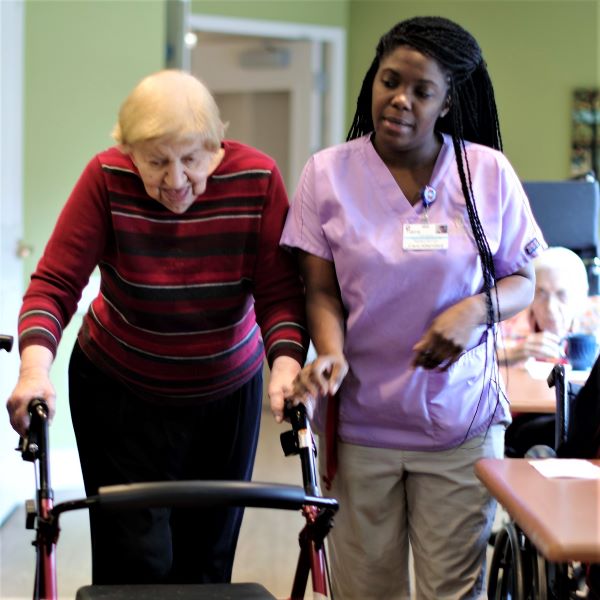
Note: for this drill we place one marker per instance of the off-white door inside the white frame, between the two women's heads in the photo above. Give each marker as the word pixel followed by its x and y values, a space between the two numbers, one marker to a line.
pixel 266 91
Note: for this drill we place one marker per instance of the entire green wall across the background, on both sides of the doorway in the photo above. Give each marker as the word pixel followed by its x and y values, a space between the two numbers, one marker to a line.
pixel 83 56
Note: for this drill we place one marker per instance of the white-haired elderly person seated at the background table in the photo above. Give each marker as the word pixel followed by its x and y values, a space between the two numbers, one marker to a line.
pixel 560 306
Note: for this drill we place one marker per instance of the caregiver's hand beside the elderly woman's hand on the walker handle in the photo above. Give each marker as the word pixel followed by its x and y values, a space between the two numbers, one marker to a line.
pixel 319 378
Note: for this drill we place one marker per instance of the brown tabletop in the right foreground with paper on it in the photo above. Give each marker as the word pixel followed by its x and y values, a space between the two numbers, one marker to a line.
pixel 560 516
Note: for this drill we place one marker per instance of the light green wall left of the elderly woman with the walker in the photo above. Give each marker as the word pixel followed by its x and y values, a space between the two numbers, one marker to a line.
pixel 81 59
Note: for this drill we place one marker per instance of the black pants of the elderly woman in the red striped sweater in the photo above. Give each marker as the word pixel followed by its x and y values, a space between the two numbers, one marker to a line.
pixel 122 439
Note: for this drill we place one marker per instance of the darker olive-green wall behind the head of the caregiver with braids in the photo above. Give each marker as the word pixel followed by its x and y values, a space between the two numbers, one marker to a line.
pixel 537 52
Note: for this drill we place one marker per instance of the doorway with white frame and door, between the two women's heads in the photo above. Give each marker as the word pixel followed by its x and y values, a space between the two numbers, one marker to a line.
pixel 279 85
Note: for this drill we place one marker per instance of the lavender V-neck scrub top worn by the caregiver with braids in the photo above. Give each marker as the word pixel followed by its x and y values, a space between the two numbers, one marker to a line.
pixel 349 209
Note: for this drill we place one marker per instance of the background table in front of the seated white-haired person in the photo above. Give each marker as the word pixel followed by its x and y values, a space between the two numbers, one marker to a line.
pixel 530 393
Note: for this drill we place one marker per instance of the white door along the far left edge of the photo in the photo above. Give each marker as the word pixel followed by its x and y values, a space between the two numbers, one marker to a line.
pixel 16 480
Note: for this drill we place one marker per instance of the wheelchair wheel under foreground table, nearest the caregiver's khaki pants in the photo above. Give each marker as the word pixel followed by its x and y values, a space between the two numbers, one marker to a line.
pixel 507 578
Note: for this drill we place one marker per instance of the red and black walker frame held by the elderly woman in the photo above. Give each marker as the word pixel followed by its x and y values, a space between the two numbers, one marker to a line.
pixel 43 515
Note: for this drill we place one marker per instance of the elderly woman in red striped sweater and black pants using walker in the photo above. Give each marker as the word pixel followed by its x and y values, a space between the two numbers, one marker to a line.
pixel 166 375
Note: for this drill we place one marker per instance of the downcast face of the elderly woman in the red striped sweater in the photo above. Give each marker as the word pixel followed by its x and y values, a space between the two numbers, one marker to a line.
pixel 174 172
